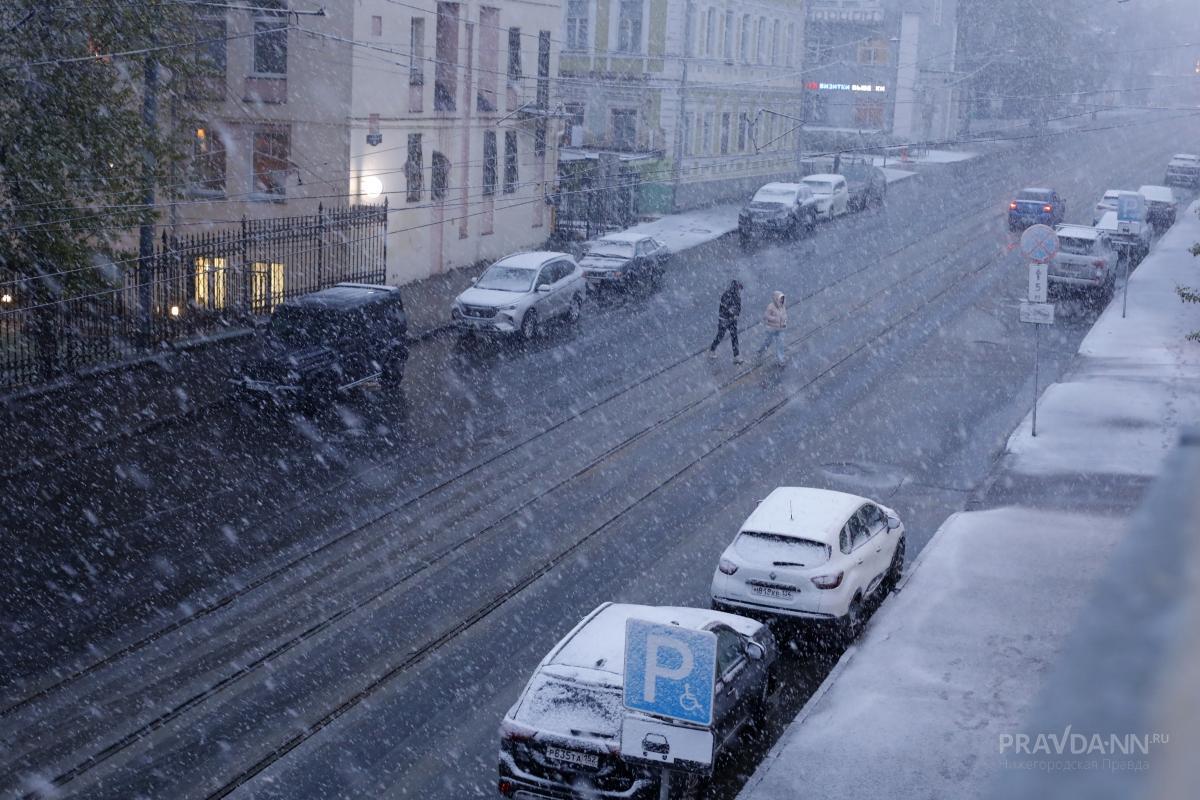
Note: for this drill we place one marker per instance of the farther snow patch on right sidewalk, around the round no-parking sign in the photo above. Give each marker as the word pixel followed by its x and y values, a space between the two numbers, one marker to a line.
pixel 1137 381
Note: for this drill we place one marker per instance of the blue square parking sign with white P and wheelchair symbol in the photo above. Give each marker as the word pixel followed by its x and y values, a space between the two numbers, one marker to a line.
pixel 670 671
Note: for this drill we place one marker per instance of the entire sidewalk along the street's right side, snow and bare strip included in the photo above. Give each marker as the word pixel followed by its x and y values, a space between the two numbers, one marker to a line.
pixel 937 699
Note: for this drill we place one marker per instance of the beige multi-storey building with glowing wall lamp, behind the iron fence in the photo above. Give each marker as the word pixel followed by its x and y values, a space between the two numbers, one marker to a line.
pixel 440 110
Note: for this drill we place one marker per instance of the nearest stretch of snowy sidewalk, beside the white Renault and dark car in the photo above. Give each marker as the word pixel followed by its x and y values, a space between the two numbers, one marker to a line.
pixel 949 666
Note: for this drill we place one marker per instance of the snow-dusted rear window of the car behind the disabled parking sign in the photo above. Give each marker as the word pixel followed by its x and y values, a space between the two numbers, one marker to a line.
pixel 557 705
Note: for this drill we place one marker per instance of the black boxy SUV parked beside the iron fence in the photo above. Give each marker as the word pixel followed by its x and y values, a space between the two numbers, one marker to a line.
pixel 328 342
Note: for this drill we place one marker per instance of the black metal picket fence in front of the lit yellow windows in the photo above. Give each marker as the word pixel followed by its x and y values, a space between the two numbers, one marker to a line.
pixel 191 286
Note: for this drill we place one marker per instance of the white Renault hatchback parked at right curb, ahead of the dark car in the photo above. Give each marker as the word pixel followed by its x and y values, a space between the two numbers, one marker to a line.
pixel 812 555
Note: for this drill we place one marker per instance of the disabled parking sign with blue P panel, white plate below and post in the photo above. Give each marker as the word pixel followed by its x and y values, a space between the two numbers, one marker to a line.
pixel 670 683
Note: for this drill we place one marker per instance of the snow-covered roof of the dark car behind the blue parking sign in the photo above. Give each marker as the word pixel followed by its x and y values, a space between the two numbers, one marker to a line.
pixel 598 643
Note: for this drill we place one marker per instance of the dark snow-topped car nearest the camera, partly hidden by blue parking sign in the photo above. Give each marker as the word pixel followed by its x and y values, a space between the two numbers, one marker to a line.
pixel 562 738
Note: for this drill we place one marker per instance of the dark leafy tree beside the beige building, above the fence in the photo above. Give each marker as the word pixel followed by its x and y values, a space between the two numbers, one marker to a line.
pixel 74 148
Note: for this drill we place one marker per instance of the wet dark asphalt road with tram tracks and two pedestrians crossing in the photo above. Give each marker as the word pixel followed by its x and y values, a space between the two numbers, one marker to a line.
pixel 262 605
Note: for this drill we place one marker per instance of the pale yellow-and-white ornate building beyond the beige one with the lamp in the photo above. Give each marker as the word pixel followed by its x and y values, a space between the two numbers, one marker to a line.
pixel 700 98
